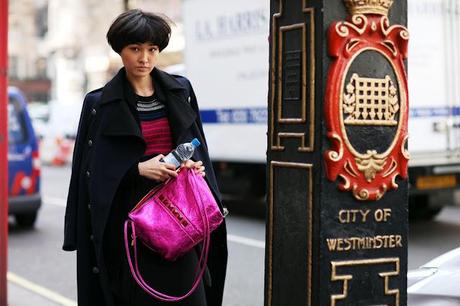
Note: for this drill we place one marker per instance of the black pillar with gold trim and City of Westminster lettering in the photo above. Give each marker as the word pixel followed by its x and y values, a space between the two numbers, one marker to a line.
pixel 337 153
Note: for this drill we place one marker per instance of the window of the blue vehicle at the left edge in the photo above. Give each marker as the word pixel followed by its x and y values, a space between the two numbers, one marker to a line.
pixel 17 132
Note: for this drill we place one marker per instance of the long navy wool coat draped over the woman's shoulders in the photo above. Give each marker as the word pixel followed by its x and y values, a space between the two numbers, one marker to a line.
pixel 108 147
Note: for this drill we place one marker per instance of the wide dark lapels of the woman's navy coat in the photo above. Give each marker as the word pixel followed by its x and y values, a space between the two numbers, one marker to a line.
pixel 122 117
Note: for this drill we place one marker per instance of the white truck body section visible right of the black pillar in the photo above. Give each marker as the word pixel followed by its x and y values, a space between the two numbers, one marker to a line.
pixel 433 82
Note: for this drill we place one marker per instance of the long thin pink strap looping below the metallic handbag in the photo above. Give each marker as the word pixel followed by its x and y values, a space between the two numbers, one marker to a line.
pixel 201 265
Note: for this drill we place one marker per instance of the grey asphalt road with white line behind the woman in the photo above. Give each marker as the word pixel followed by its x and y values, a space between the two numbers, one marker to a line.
pixel 38 267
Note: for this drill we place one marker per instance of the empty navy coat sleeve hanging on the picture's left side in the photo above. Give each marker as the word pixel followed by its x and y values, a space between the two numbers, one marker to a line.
pixel 70 222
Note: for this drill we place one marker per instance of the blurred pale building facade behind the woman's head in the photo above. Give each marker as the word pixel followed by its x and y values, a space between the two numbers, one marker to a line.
pixel 58 48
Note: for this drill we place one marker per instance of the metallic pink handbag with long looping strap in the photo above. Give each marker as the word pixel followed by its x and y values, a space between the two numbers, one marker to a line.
pixel 171 219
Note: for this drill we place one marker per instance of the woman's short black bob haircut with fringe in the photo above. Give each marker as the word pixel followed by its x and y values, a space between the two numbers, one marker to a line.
pixel 137 27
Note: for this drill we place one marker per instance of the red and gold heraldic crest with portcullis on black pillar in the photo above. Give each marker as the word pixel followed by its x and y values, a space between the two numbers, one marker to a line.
pixel 366 105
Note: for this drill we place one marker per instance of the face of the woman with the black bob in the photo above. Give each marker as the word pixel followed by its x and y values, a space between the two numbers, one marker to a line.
pixel 139 59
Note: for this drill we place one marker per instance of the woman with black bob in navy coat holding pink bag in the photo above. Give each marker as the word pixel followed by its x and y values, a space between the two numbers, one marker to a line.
pixel 126 127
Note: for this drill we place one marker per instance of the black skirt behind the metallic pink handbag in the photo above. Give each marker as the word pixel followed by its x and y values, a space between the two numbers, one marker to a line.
pixel 169 277
